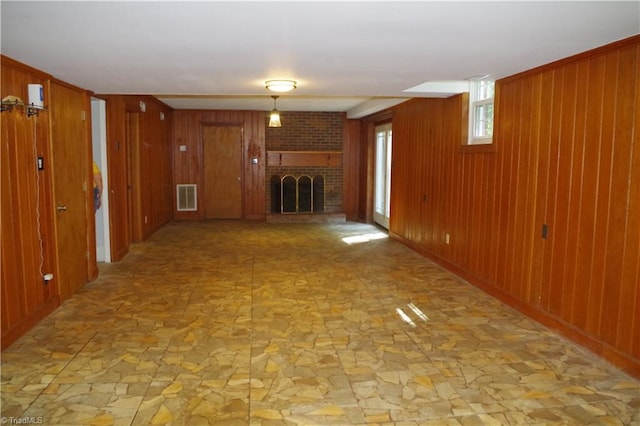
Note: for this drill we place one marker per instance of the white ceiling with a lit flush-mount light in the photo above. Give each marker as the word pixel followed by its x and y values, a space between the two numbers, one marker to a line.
pixel 357 57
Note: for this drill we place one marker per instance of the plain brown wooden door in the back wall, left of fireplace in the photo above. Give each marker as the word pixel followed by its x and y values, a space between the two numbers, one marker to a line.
pixel 222 172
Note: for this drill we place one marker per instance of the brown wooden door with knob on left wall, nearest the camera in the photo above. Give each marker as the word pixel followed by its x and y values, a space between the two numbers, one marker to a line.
pixel 71 172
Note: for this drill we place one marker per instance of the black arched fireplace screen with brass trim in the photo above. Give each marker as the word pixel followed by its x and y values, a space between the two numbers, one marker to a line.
pixel 302 194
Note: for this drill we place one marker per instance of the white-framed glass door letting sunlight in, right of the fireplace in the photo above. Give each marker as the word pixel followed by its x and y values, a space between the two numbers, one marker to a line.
pixel 382 191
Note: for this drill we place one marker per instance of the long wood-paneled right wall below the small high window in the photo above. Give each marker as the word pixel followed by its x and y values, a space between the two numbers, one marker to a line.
pixel 567 155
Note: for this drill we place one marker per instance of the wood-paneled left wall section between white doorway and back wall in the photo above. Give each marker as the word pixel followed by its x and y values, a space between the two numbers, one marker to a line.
pixel 140 169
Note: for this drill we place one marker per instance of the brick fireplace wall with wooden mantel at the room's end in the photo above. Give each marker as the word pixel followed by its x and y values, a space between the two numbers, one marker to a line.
pixel 308 144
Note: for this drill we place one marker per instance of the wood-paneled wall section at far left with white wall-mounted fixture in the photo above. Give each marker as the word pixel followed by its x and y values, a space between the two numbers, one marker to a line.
pixel 27 208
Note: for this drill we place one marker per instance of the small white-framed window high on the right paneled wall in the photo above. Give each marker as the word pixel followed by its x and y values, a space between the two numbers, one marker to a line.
pixel 481 112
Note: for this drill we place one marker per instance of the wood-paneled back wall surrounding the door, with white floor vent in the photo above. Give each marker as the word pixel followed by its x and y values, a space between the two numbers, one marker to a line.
pixel 187 165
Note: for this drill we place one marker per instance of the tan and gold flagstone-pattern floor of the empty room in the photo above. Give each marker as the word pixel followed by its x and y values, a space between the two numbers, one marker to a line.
pixel 233 323
